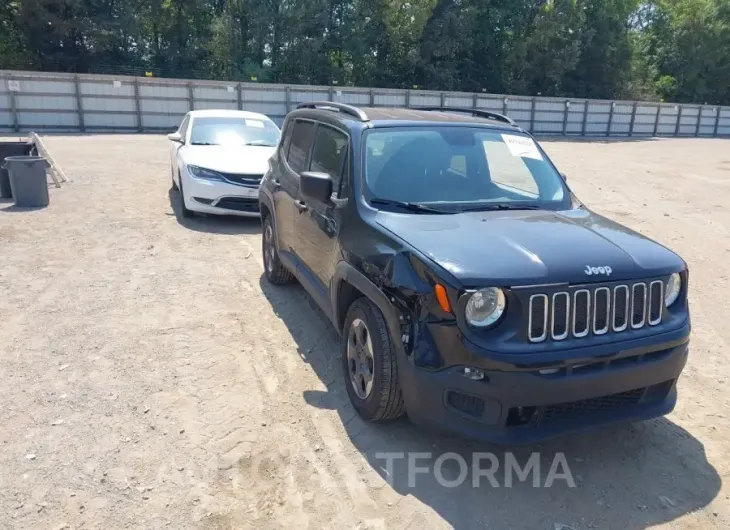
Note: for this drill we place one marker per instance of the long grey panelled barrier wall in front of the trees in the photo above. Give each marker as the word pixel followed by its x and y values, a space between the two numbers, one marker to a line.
pixel 53 102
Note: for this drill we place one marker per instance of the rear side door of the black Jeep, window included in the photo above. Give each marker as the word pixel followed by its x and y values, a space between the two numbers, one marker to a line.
pixel 295 160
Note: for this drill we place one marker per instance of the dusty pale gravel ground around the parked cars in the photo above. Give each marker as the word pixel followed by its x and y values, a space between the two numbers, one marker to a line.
pixel 152 379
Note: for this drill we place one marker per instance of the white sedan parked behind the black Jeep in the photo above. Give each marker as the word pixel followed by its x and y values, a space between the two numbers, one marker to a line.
pixel 218 158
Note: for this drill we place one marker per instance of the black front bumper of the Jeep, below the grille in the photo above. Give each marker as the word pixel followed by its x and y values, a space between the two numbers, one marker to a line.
pixel 527 405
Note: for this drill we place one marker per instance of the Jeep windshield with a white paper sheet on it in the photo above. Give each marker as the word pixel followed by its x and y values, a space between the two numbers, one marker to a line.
pixel 459 168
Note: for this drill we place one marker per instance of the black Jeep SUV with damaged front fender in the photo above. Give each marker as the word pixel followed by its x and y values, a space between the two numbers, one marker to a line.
pixel 471 288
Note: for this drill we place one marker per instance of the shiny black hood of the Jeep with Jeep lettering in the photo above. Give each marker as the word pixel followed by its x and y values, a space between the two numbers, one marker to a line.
pixel 531 247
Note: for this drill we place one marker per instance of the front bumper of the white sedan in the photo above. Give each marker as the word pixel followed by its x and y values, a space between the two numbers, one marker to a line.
pixel 220 197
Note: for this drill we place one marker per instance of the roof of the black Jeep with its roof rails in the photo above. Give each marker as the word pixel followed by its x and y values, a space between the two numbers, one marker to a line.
pixel 424 114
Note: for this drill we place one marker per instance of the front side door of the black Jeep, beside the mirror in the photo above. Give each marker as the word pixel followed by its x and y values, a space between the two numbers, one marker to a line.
pixel 318 224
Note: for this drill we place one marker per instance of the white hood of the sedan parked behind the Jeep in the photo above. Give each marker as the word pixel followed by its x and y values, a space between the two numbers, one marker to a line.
pixel 247 159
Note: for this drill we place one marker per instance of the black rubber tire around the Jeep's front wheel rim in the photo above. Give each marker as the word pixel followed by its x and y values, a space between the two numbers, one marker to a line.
pixel 385 399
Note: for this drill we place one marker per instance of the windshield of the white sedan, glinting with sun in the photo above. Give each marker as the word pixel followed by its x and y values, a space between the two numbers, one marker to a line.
pixel 234 131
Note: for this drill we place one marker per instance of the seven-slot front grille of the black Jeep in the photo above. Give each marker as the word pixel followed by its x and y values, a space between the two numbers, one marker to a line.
pixel 598 310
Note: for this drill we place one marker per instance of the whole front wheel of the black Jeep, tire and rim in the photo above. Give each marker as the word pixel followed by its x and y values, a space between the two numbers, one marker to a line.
pixel 369 363
